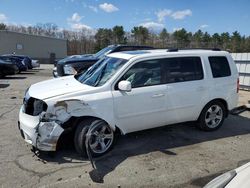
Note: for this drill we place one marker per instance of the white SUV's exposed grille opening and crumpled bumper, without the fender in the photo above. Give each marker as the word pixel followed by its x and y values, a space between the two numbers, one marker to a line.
pixel 37 127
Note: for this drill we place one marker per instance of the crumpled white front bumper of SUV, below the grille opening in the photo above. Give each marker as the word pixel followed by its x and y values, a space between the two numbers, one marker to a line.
pixel 41 135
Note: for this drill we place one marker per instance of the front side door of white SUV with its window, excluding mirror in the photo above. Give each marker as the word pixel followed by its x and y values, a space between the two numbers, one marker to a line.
pixel 144 106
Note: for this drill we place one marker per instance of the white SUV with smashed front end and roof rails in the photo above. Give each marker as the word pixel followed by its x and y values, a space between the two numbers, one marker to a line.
pixel 131 91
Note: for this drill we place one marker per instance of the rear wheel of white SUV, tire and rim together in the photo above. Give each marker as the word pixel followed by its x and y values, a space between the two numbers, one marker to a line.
pixel 212 116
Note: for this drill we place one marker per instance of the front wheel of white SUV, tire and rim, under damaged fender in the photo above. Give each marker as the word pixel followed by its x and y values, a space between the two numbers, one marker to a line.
pixel 101 141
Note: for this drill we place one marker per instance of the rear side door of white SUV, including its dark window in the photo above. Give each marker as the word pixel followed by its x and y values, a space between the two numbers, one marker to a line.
pixel 187 89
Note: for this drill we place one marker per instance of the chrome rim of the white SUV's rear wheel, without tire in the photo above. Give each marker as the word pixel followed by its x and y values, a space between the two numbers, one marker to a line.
pixel 214 116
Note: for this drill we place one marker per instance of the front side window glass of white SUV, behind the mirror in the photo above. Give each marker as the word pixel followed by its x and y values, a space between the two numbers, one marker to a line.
pixel 146 73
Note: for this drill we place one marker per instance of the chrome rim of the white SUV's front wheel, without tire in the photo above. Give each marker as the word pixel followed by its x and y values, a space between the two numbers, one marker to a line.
pixel 101 139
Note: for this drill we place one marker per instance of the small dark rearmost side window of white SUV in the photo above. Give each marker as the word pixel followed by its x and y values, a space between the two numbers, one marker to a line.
pixel 219 66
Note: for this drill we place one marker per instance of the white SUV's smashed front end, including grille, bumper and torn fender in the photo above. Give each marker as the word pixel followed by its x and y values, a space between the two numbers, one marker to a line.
pixel 41 123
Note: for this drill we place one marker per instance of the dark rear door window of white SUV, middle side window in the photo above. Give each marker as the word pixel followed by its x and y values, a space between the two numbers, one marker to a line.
pixel 183 69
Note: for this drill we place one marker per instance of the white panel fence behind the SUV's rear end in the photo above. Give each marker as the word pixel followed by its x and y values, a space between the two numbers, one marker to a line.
pixel 242 61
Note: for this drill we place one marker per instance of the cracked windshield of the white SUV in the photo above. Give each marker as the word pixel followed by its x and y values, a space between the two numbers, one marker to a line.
pixel 101 71
